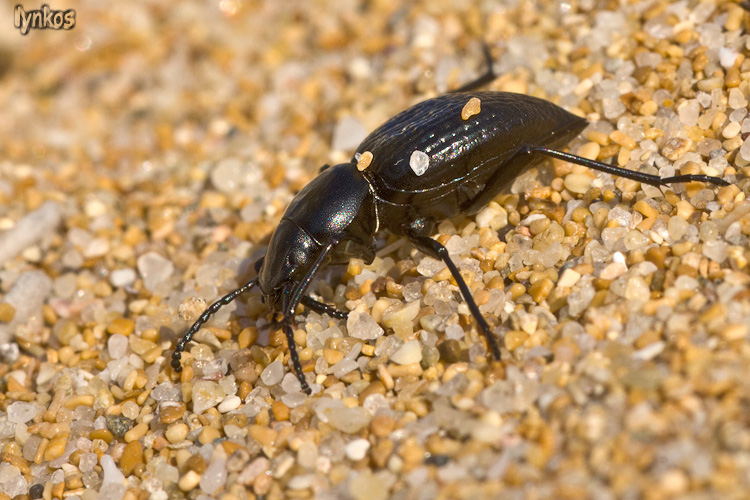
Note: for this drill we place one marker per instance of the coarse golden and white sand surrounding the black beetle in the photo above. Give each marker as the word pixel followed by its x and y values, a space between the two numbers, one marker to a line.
pixel 148 153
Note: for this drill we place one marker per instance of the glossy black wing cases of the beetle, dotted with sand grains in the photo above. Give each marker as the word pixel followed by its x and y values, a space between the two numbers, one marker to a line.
pixel 470 161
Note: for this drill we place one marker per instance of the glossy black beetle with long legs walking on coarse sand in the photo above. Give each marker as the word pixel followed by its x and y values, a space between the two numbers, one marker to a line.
pixel 429 163
